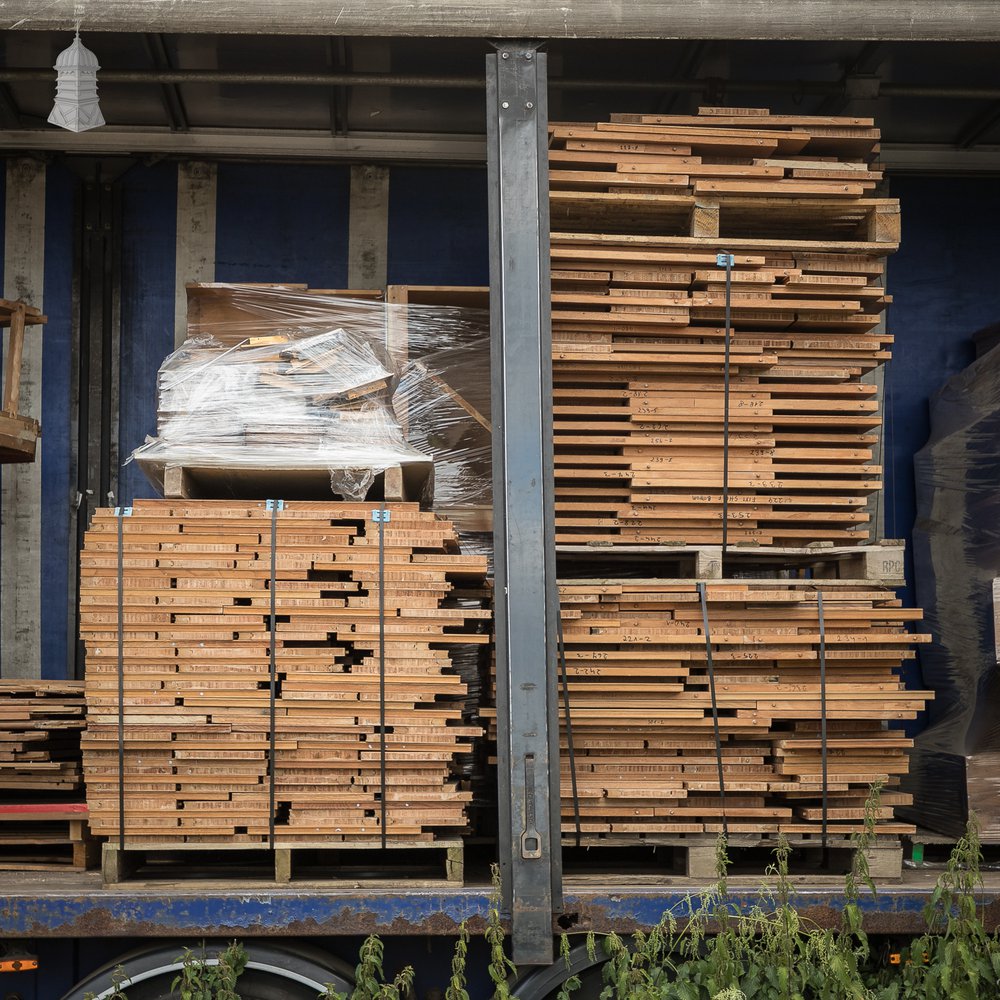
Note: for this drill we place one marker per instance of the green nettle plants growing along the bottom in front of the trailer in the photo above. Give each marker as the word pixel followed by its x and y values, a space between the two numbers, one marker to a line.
pixel 710 948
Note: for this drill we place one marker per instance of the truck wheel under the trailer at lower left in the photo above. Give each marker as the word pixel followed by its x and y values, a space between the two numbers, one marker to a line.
pixel 273 972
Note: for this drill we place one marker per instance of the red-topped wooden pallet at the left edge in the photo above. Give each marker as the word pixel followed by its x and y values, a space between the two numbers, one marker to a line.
pixel 45 837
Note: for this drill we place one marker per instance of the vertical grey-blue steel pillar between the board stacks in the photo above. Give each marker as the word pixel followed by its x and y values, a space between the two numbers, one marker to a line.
pixel 527 600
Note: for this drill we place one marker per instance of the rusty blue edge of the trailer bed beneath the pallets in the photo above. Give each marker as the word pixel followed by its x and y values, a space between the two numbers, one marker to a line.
pixel 75 904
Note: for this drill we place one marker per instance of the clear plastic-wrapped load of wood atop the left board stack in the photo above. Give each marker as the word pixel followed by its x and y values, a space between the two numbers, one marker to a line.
pixel 288 381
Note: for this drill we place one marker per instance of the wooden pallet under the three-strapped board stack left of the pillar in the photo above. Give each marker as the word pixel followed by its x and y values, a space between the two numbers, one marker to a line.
pixel 337 863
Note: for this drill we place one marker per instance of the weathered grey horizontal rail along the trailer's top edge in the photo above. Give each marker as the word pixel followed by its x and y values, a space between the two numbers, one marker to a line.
pixel 903 20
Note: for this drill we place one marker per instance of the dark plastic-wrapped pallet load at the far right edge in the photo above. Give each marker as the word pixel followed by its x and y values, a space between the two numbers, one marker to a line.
pixel 956 548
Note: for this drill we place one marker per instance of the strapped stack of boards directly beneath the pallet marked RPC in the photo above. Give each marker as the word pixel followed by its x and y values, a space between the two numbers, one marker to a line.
pixel 640 706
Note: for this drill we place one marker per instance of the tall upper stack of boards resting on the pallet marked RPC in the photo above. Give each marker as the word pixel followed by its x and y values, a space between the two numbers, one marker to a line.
pixel 640 211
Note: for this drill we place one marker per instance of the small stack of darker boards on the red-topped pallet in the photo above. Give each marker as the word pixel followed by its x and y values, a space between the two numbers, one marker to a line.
pixel 40 726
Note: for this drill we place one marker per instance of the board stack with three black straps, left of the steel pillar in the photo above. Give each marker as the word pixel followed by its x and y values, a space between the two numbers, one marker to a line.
pixel 196 577
